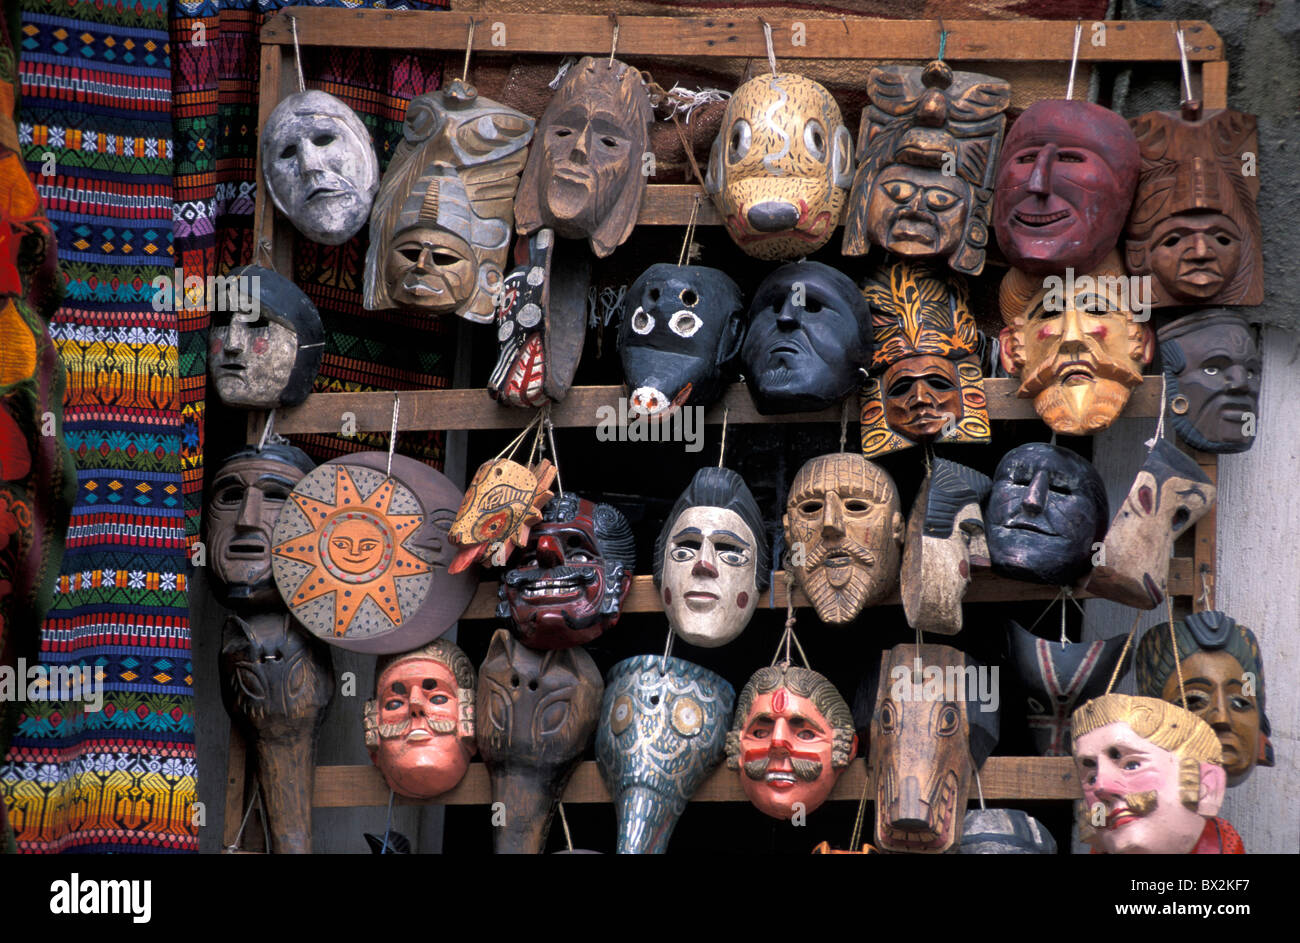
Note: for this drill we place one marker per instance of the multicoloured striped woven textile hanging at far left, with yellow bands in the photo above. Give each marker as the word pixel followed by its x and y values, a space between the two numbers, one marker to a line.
pixel 96 135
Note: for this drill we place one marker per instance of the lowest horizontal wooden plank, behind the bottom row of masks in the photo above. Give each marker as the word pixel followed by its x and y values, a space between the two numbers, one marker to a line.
pixel 1003 778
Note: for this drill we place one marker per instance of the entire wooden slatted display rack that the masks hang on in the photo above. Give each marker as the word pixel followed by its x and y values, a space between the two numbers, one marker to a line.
pixel 697 37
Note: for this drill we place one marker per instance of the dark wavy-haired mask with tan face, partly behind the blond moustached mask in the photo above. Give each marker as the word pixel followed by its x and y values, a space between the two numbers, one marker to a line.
pixel 1224 680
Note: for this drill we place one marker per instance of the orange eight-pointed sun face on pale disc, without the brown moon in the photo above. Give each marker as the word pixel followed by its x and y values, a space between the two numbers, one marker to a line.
pixel 341 555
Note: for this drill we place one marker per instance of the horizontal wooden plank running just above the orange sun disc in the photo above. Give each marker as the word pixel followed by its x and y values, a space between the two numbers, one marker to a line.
pixel 474 409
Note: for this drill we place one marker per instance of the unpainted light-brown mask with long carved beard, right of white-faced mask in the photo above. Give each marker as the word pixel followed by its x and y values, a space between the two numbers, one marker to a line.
pixel 843 534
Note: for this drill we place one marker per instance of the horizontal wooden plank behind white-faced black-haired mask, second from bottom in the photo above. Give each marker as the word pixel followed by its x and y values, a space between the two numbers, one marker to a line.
pixel 986 587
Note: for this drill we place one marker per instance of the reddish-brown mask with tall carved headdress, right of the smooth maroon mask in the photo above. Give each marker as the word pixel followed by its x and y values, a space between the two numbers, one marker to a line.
pixel 1195 224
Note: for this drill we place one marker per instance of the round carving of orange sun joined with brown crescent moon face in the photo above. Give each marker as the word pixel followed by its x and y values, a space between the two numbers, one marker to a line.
pixel 361 557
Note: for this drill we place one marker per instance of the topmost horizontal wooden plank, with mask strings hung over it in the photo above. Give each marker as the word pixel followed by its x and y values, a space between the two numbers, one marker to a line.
pixel 1026 41
